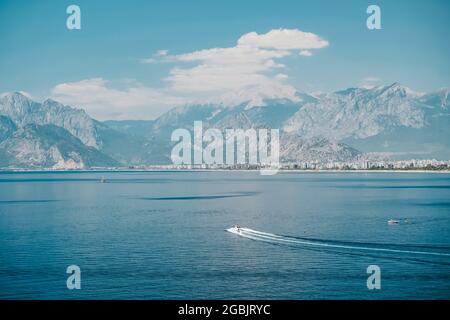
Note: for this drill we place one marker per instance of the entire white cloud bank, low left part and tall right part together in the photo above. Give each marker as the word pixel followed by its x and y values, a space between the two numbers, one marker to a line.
pixel 247 72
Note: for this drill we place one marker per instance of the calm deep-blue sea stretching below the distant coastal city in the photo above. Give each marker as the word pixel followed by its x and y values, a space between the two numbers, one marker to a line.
pixel 161 235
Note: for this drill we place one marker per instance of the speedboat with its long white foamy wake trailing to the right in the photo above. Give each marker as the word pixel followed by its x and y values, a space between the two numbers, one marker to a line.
pixel 331 244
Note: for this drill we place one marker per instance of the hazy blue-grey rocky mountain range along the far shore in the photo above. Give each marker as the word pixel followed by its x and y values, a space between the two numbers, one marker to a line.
pixel 357 123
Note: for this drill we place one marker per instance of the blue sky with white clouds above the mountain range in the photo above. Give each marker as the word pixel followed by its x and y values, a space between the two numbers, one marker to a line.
pixel 136 59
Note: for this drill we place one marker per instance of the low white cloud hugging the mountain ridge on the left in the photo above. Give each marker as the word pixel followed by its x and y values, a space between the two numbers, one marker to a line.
pixel 102 101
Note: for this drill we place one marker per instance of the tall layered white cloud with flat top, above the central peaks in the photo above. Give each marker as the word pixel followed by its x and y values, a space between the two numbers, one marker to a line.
pixel 253 62
